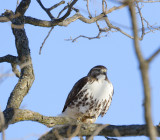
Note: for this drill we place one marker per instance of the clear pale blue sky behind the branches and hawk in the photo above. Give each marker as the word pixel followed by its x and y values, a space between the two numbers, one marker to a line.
pixel 62 63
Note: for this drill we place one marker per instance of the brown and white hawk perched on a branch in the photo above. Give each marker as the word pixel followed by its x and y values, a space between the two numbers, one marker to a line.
pixel 90 97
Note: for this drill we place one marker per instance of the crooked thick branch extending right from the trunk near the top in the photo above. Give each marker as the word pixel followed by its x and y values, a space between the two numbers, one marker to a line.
pixel 61 21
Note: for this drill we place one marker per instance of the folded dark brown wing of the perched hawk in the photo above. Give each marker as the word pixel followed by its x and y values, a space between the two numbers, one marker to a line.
pixel 75 90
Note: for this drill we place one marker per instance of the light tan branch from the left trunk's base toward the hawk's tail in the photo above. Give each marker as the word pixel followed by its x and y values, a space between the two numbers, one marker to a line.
pixel 13 115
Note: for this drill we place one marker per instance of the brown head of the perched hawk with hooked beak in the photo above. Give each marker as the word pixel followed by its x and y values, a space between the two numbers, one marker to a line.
pixel 97 71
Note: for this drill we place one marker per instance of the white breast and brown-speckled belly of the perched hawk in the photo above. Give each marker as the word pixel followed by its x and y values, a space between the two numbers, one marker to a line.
pixel 96 97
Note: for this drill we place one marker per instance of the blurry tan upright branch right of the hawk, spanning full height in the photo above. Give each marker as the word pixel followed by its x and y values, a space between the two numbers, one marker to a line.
pixel 144 73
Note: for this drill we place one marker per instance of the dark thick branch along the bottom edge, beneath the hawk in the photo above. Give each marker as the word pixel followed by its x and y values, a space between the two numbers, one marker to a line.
pixel 89 129
